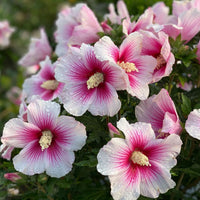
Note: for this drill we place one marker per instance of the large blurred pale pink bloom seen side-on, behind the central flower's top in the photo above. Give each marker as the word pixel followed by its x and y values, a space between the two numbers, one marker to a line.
pixel 78 25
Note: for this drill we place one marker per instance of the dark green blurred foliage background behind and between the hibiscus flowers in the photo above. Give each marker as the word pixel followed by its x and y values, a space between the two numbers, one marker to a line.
pixel 28 17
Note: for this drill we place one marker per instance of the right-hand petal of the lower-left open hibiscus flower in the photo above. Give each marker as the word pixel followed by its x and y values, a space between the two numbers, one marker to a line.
pixel 69 133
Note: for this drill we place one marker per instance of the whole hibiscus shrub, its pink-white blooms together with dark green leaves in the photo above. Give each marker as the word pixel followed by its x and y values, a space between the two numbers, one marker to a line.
pixel 110 109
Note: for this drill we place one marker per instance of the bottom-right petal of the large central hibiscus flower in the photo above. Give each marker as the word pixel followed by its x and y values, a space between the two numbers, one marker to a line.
pixel 106 101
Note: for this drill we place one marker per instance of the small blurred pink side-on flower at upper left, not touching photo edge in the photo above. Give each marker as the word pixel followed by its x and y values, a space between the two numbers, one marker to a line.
pixel 38 50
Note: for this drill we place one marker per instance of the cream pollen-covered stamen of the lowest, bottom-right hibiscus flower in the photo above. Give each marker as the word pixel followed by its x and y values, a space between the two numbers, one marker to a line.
pixel 140 159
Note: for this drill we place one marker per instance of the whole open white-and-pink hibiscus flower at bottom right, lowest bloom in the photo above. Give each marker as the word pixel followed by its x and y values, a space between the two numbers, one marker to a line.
pixel 140 163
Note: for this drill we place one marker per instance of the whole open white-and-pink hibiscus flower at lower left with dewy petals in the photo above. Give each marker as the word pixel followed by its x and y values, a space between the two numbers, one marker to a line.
pixel 48 141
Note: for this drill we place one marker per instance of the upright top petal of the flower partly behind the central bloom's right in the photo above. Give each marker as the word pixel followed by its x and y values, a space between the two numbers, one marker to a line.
pixel 131 47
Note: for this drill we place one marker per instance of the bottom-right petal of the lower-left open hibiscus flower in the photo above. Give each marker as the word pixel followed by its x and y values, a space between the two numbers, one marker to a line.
pixel 58 161
